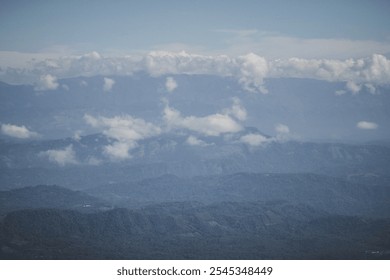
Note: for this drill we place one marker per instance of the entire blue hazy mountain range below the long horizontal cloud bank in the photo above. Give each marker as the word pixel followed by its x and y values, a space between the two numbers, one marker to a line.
pixel 193 167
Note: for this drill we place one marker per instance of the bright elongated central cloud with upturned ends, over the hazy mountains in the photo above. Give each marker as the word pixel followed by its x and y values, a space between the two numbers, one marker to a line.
pixel 210 125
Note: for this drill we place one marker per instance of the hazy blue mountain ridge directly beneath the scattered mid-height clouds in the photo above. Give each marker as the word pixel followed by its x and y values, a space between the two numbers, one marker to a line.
pixel 26 163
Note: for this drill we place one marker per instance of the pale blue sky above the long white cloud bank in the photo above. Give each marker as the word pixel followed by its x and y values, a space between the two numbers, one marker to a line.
pixel 199 26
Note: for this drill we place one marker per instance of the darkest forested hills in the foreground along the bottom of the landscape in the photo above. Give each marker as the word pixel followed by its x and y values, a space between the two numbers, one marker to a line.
pixel 276 230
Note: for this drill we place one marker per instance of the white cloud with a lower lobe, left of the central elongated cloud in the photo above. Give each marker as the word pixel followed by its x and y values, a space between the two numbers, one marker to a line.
pixel 125 131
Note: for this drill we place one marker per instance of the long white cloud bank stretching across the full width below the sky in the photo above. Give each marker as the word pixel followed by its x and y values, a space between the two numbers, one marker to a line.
pixel 249 70
